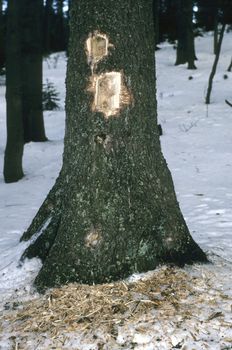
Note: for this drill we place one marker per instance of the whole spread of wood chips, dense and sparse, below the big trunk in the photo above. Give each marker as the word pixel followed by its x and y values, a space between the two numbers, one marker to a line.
pixel 176 299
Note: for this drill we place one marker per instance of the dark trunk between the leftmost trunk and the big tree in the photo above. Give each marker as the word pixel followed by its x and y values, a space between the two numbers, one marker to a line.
pixel 32 70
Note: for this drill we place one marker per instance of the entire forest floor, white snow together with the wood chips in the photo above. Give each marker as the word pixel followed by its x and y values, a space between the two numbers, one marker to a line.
pixel 169 308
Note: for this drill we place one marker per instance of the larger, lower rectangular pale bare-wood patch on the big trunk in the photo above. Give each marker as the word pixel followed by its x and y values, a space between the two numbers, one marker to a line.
pixel 110 93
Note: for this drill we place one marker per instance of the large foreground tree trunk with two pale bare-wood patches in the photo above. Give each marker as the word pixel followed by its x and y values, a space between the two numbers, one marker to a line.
pixel 114 210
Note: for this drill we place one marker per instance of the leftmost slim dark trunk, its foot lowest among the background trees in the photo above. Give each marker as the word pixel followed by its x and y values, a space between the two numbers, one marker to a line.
pixel 14 148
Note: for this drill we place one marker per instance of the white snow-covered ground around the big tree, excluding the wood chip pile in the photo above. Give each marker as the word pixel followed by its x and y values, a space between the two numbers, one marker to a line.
pixel 197 144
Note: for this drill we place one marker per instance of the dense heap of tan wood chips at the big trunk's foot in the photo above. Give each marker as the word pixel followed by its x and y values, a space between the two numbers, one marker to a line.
pixel 79 307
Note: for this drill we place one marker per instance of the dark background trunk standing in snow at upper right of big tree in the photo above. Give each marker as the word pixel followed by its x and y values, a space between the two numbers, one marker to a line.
pixel 185 46
